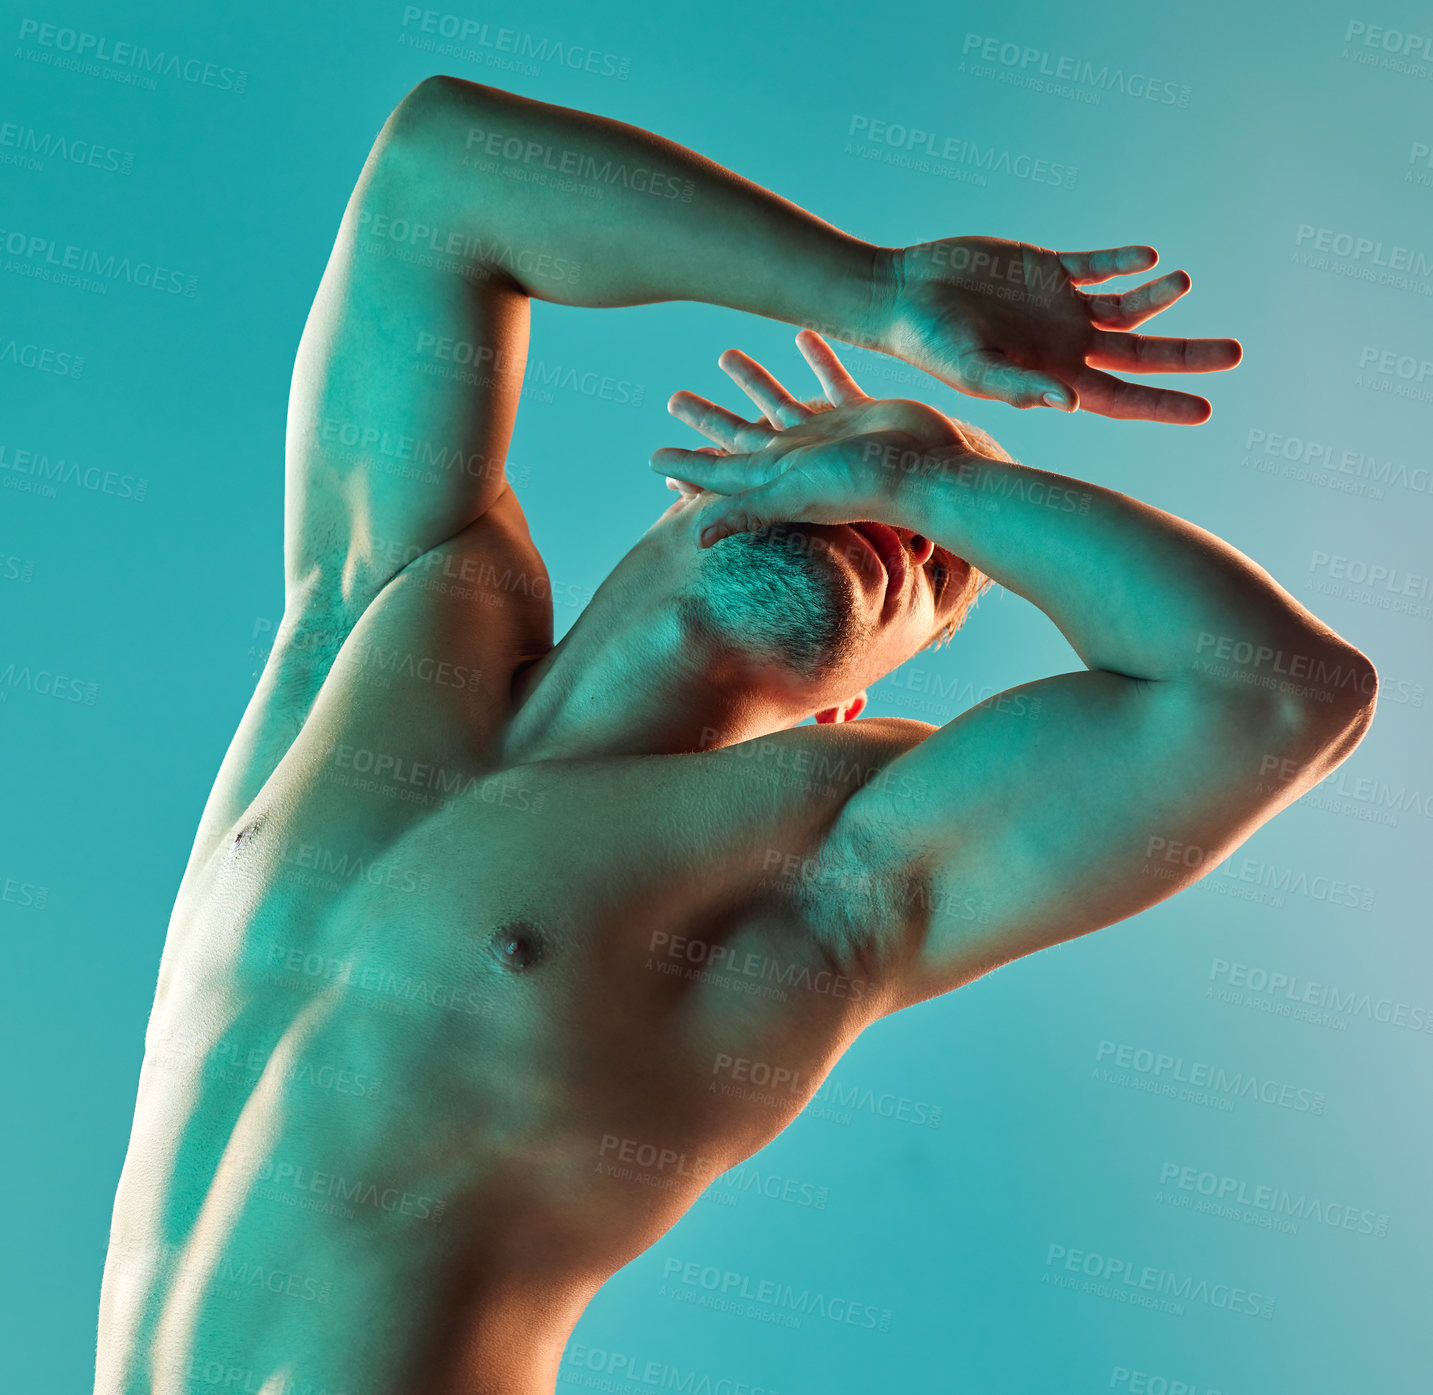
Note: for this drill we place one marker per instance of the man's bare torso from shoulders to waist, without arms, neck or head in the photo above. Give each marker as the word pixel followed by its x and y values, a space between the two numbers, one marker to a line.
pixel 445 1034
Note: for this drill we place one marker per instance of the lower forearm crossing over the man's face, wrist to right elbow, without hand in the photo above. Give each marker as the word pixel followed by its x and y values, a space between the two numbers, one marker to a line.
pixel 1136 591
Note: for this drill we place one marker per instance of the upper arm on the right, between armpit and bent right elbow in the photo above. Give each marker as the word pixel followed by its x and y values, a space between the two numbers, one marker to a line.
pixel 1068 805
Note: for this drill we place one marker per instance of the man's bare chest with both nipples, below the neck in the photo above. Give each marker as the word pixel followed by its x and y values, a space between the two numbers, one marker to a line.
pixel 641 881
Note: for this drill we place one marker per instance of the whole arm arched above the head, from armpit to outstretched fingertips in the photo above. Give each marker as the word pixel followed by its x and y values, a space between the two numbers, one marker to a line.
pixel 475 200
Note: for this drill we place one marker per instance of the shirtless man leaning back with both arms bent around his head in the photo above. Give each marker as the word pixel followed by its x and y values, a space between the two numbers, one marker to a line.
pixel 429 974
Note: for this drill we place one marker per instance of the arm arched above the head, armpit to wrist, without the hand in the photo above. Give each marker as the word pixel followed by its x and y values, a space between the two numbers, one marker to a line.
pixel 411 368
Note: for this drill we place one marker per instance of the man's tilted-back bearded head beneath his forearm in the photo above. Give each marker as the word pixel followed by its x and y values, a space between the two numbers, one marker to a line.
pixel 800 617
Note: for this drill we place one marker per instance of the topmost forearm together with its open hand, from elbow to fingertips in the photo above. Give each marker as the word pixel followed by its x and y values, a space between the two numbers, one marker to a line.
pixel 650 220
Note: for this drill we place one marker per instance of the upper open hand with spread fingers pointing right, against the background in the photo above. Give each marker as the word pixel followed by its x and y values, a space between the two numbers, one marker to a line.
pixel 1007 320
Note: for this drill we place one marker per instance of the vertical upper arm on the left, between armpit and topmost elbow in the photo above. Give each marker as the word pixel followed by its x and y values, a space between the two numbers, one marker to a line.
pixel 403 398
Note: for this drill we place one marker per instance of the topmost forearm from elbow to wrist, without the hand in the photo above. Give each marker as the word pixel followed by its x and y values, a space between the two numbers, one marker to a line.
pixel 631 217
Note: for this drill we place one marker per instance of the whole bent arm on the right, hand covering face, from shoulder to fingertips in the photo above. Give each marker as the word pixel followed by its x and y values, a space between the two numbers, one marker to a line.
pixel 1078 801
